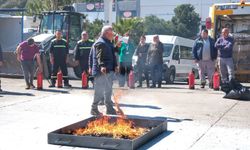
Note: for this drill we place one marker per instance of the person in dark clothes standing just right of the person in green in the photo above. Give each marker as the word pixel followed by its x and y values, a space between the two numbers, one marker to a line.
pixel 141 52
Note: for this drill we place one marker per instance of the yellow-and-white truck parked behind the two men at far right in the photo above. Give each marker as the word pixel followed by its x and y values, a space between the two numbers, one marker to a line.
pixel 236 17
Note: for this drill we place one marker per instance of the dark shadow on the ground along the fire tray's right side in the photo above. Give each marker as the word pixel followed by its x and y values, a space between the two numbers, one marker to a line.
pixel 156 140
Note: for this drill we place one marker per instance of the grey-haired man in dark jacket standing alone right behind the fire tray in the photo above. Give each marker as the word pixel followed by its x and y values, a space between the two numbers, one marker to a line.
pixel 103 66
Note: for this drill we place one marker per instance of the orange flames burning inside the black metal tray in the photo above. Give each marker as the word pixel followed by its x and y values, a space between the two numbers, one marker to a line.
pixel 121 128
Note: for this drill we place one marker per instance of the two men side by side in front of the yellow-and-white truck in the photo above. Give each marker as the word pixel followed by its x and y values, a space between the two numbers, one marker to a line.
pixel 206 52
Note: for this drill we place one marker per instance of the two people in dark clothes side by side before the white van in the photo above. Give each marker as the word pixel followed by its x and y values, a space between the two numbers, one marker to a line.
pixel 150 60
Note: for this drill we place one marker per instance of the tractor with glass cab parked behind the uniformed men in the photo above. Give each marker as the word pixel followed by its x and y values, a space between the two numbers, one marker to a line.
pixel 71 25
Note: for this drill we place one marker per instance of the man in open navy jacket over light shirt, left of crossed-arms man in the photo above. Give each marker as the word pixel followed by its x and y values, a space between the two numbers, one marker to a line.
pixel 205 55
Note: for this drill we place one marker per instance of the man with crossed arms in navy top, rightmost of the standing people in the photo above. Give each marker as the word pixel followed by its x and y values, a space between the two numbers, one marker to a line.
pixel 225 48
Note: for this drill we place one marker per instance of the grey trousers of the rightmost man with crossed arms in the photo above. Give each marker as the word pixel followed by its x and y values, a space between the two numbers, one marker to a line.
pixel 226 69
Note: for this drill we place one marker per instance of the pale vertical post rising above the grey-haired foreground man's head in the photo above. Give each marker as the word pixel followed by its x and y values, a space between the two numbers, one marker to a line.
pixel 108 12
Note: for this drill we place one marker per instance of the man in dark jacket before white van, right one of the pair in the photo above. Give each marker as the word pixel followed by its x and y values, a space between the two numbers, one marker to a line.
pixel 155 61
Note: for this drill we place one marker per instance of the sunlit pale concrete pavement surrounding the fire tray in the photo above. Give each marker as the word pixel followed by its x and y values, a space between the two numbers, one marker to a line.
pixel 197 119
